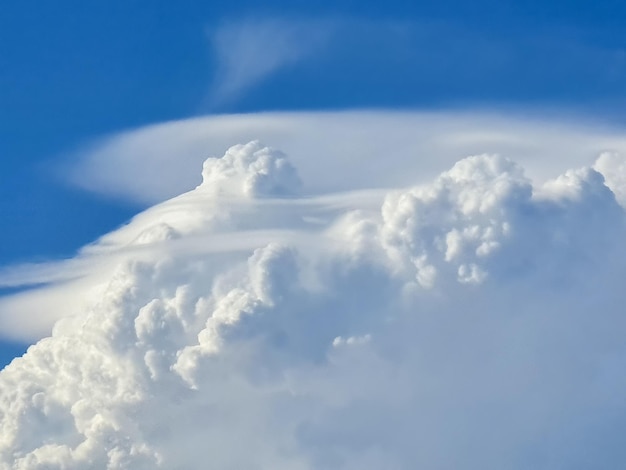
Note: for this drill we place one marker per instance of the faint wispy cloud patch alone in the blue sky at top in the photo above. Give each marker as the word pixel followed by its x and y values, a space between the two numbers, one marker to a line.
pixel 250 51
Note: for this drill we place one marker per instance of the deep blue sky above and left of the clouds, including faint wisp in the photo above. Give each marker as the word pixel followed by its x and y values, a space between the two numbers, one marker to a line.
pixel 72 71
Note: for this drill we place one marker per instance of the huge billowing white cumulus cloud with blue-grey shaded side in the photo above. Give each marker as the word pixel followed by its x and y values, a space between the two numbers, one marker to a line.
pixel 474 321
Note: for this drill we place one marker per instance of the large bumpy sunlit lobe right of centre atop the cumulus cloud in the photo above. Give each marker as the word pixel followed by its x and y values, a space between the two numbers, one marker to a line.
pixel 457 221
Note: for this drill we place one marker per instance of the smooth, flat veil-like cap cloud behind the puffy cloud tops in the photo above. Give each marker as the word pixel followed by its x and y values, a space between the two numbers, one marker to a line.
pixel 337 151
